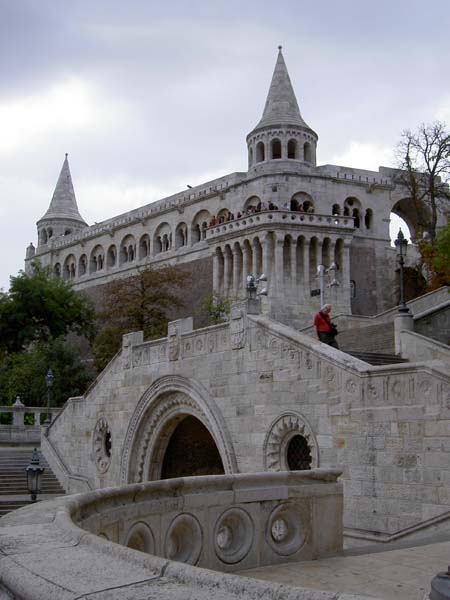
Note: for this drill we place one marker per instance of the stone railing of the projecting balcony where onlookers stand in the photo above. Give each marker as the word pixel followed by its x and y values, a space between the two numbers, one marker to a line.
pixel 279 218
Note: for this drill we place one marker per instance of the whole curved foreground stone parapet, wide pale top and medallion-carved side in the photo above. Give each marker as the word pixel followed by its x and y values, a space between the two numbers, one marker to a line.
pixel 222 522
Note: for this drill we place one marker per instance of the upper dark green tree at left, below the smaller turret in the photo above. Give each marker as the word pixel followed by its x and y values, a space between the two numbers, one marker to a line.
pixel 39 308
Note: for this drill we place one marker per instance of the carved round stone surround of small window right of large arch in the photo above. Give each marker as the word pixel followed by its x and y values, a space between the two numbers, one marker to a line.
pixel 281 432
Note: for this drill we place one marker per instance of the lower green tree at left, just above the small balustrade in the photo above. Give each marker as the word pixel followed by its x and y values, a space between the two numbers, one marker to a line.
pixel 23 373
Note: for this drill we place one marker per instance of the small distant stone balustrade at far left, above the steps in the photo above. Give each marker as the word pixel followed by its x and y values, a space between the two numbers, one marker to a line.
pixel 19 429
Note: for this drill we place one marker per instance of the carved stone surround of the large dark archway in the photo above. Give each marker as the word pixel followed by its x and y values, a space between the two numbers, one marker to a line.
pixel 155 418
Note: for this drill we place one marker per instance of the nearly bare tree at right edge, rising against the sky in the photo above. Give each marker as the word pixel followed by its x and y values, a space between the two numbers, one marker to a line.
pixel 424 160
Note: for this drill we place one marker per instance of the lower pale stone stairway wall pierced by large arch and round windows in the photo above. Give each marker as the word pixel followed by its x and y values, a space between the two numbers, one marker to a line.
pixel 255 384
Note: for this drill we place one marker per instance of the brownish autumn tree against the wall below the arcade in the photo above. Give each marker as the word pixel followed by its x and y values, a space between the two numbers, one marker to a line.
pixel 141 302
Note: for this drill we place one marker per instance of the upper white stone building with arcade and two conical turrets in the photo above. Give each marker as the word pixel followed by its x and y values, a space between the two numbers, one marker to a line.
pixel 319 215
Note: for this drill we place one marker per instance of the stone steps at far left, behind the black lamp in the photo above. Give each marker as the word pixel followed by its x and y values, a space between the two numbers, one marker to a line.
pixel 13 479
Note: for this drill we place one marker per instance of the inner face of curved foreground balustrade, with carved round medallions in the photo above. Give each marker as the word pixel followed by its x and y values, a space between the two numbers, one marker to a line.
pixel 224 523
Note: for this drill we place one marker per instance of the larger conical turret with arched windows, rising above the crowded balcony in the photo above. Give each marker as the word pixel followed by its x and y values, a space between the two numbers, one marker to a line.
pixel 282 132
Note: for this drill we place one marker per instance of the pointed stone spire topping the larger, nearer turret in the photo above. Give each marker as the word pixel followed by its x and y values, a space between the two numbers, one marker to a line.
pixel 281 105
